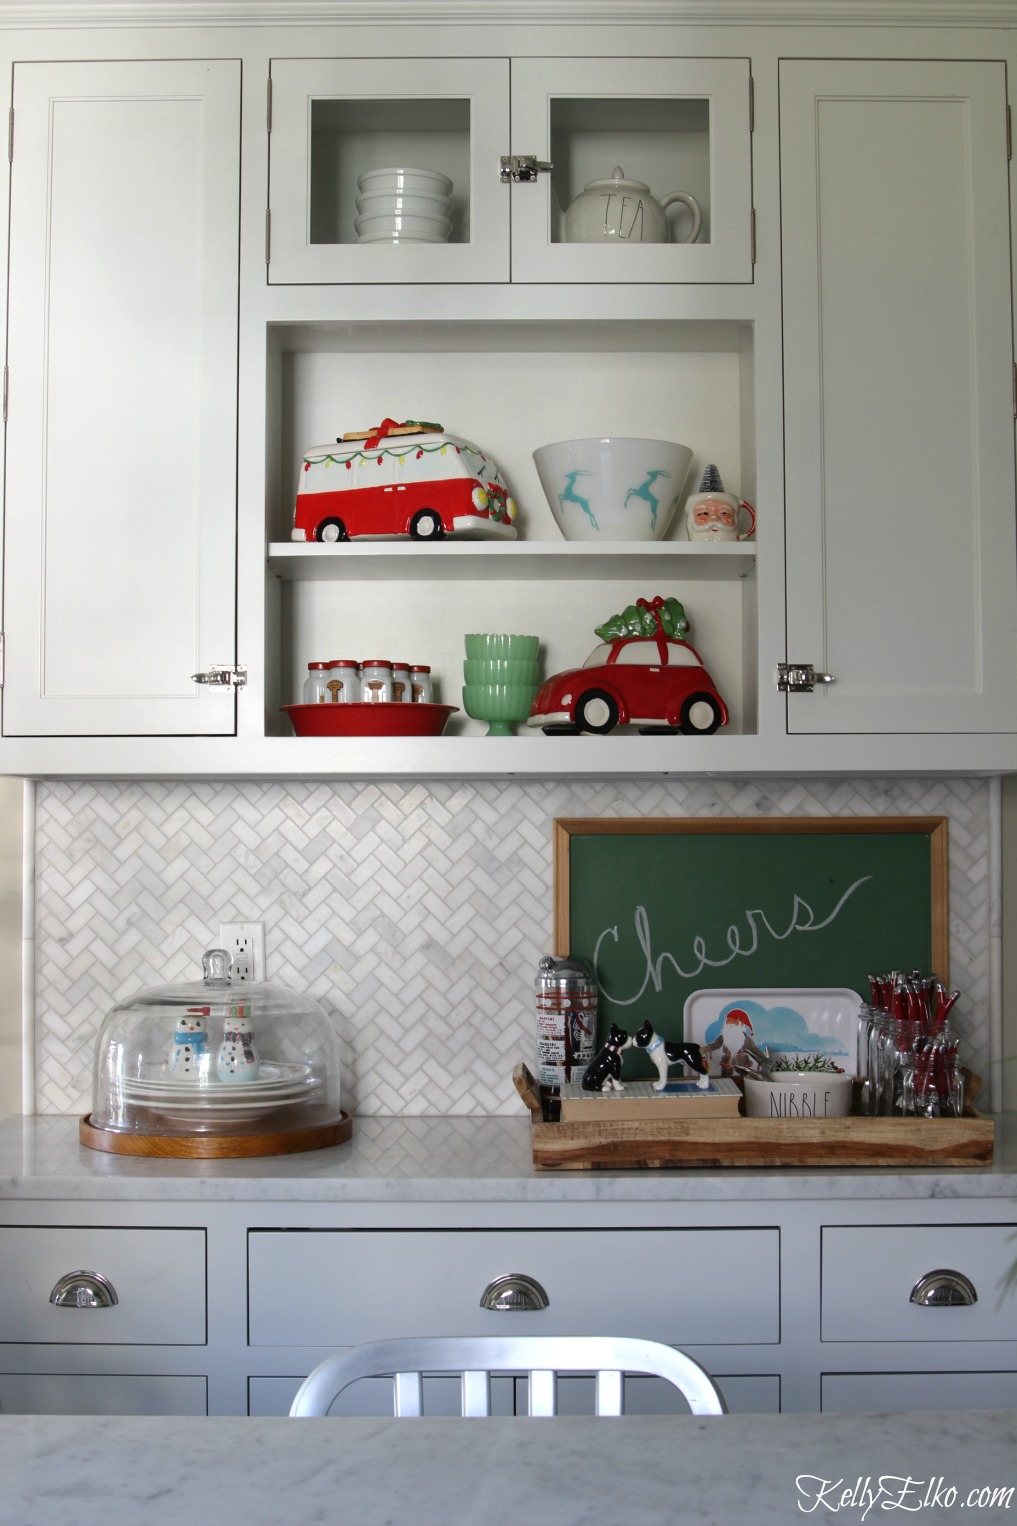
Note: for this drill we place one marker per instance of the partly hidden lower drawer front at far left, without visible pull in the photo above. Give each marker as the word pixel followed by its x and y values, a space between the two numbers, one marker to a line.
pixel 100 1394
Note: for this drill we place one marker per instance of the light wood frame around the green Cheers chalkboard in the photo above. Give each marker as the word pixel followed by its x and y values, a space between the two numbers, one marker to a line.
pixel 674 834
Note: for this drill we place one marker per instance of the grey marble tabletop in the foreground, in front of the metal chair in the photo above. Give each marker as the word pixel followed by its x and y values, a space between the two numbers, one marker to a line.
pixel 641 1472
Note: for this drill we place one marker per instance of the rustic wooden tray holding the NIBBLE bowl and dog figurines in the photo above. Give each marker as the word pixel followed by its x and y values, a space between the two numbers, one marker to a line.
pixel 755 1142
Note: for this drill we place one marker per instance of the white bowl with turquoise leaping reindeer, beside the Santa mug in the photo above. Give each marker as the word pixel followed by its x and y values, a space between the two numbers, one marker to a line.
pixel 613 489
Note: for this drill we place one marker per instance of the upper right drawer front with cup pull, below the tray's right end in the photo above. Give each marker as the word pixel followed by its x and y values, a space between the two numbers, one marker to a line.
pixel 870 1275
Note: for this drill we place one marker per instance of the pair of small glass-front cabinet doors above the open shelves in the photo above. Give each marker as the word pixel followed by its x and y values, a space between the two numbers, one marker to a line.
pixel 670 124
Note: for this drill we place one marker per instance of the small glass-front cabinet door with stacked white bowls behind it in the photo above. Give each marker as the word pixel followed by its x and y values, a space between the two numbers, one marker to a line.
pixel 338 130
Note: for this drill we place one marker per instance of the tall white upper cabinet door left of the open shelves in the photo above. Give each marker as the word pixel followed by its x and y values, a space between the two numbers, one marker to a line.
pixel 120 552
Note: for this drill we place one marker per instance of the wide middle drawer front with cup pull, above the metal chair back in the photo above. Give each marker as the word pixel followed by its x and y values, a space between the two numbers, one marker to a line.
pixel 344 1287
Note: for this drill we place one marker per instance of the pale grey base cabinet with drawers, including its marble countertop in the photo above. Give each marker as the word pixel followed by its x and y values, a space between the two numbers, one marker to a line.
pixel 790 1287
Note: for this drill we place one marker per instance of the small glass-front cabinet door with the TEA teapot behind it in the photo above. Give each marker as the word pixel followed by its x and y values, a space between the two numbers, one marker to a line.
pixel 651 170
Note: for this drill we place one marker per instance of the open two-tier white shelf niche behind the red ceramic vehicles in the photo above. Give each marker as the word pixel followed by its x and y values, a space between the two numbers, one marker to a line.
pixel 509 388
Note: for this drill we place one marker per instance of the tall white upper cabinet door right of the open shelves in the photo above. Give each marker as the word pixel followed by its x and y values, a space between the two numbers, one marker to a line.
pixel 899 402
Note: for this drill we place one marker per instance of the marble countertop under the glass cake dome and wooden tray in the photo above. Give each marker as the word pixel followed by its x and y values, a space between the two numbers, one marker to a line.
pixel 448 1161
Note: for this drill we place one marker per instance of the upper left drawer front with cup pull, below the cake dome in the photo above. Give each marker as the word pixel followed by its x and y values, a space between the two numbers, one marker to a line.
pixel 157 1275
